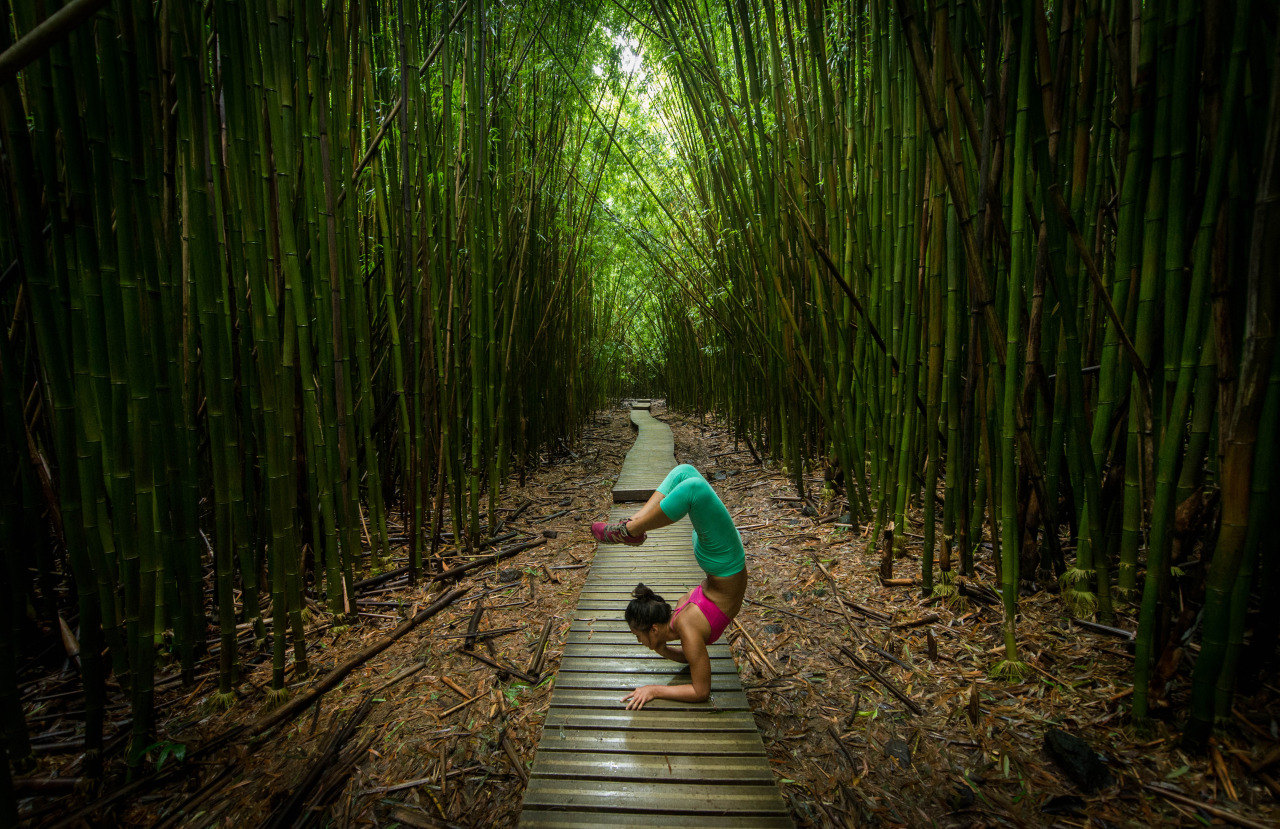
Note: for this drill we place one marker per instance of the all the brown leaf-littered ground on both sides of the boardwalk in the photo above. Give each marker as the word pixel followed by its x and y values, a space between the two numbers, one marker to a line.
pixel 446 740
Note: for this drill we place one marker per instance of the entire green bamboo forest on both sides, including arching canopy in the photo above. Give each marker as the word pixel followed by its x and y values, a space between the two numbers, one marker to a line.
pixel 286 281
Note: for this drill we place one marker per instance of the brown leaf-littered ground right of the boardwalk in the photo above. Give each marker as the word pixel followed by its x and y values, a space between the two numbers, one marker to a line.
pixel 849 753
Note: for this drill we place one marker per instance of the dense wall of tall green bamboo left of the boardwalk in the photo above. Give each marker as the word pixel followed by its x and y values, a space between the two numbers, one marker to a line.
pixel 287 286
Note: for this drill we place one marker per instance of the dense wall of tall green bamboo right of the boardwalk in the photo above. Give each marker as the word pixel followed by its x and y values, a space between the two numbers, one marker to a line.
pixel 1008 264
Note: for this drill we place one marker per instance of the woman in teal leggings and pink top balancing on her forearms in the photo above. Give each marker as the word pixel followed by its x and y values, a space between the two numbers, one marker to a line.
pixel 702 616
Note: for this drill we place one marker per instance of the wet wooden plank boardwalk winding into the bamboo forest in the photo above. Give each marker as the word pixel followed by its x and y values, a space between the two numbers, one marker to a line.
pixel 671 764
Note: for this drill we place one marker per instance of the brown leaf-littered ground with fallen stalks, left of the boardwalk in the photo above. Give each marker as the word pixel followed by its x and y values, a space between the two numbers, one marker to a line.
pixel 450 726
